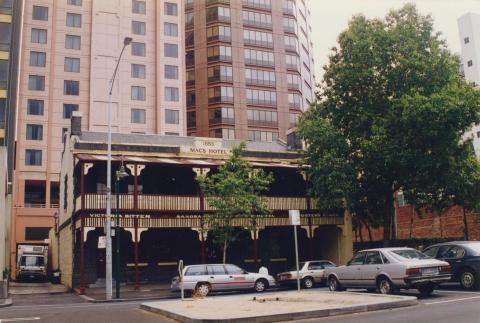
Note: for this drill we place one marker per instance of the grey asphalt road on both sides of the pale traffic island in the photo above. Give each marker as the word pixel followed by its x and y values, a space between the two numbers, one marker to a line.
pixel 444 306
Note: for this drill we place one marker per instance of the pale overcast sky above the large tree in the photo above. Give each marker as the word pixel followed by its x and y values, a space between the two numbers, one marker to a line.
pixel 331 17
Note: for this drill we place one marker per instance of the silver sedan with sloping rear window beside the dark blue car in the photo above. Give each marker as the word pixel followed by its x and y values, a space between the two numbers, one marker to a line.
pixel 388 270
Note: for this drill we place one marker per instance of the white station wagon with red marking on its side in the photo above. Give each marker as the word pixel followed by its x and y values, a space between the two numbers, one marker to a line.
pixel 204 279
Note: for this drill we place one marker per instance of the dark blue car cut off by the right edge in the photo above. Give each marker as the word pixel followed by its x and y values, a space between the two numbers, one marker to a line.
pixel 464 259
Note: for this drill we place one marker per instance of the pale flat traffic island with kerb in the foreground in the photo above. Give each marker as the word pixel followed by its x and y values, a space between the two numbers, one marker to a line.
pixel 273 307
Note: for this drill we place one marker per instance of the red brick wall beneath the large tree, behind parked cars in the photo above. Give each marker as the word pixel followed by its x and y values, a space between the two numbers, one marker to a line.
pixel 411 224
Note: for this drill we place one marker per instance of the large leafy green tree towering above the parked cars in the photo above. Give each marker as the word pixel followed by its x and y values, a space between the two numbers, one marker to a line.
pixel 390 115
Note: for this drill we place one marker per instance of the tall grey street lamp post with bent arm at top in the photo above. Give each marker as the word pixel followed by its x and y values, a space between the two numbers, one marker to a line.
pixel 108 215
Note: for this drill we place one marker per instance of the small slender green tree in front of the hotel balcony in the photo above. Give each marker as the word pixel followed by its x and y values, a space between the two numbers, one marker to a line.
pixel 234 193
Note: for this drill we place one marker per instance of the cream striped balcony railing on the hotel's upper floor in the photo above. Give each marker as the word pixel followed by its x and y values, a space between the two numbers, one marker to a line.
pixel 152 202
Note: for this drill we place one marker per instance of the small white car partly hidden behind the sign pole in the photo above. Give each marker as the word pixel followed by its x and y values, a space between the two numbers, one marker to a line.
pixel 310 272
